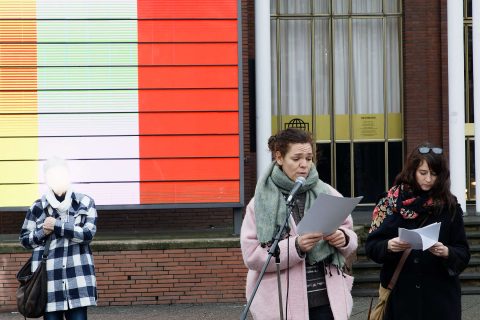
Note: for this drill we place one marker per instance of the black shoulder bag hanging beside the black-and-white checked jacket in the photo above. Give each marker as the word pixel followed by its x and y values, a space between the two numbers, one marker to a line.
pixel 32 293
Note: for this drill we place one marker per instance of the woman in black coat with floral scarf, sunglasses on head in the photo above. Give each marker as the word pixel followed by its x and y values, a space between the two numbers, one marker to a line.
pixel 428 286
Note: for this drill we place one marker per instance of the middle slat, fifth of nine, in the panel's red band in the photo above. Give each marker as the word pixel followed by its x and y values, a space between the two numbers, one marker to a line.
pixel 188 100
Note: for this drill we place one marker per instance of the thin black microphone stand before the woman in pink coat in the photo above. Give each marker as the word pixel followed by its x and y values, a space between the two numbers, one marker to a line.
pixel 273 251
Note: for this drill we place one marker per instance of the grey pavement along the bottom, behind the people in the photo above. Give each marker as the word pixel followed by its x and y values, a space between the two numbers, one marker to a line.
pixel 225 311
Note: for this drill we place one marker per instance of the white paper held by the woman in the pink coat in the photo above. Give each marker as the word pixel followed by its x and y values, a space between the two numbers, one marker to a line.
pixel 326 214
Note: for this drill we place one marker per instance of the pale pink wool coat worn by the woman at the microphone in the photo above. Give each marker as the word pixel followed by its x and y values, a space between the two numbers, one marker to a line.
pixel 265 303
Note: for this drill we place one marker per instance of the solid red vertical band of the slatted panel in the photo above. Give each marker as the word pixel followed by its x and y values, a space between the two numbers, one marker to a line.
pixel 182 93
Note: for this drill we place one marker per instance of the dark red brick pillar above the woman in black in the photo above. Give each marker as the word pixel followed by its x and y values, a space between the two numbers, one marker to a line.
pixel 425 77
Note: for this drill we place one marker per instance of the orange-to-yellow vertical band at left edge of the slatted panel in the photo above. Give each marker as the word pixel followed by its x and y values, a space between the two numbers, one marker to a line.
pixel 18 80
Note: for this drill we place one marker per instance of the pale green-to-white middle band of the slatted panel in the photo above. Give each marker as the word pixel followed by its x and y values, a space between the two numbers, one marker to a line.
pixel 87 51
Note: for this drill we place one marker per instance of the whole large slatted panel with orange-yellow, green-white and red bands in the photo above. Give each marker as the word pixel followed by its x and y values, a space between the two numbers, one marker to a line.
pixel 141 96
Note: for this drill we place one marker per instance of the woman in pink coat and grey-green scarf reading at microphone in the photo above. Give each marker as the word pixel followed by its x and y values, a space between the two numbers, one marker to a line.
pixel 314 284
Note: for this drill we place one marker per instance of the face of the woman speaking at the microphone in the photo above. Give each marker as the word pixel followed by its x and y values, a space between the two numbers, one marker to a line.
pixel 297 161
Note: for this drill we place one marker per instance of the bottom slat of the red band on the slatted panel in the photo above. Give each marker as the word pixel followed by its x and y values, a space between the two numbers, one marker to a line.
pixel 189 192
